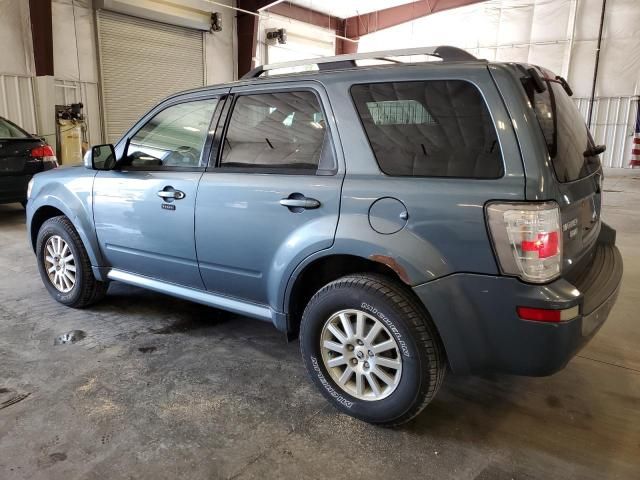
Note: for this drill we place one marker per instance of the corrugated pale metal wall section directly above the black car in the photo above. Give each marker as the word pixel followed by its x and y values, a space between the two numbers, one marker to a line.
pixel 17 101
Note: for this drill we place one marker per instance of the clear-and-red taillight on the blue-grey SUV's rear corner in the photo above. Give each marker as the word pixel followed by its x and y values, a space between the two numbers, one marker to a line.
pixel 527 239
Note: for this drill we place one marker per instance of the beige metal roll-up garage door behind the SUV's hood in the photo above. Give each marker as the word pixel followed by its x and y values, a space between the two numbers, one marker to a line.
pixel 142 62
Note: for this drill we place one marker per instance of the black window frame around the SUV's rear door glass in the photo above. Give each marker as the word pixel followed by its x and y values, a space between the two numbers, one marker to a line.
pixel 223 127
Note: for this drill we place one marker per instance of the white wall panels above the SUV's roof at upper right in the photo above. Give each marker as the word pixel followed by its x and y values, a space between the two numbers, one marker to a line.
pixel 558 34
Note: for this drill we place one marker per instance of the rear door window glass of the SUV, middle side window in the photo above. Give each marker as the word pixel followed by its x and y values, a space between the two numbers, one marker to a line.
pixel 283 132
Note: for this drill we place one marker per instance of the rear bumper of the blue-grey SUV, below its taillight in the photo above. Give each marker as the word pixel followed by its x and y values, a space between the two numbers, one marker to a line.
pixel 477 321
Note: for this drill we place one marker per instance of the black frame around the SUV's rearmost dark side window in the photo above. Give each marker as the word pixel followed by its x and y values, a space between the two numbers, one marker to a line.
pixel 425 80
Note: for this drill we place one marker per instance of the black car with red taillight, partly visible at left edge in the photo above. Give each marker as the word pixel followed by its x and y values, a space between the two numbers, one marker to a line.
pixel 22 155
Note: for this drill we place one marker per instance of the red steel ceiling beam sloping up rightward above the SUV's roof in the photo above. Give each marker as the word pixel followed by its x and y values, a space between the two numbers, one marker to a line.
pixel 359 25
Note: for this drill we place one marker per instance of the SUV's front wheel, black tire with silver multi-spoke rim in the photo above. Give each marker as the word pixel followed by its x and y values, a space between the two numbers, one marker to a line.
pixel 85 289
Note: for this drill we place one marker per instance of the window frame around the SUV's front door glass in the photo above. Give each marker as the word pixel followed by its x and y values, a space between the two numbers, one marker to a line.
pixel 206 147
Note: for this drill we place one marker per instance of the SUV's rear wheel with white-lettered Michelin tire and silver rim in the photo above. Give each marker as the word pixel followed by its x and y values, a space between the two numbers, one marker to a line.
pixel 418 358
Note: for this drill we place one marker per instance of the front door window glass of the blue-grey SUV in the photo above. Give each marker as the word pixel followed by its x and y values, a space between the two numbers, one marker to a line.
pixel 173 138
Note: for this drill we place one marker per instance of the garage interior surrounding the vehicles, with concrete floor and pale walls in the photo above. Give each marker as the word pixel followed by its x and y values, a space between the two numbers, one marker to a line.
pixel 157 387
